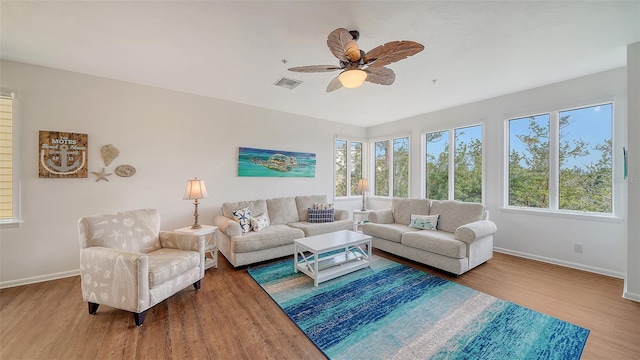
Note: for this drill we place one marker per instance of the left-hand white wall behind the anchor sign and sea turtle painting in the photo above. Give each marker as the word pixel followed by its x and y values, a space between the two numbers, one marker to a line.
pixel 168 136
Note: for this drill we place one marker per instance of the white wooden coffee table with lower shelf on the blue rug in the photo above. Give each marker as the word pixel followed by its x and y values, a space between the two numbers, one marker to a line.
pixel 310 254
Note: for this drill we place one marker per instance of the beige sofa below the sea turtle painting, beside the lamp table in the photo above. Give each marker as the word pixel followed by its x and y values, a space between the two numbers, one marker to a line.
pixel 287 221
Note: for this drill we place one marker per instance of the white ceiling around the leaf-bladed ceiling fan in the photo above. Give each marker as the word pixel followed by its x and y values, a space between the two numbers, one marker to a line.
pixel 233 50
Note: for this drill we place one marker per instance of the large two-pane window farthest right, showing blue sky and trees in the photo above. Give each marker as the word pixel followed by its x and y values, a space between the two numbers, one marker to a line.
pixel 562 160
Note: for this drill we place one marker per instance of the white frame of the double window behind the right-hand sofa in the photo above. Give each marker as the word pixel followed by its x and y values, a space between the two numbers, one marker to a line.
pixel 452 159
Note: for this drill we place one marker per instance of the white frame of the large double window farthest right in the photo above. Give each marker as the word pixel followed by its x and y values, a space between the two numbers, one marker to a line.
pixel 554 164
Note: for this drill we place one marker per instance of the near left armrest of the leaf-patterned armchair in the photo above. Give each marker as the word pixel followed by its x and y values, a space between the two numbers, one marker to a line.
pixel 101 267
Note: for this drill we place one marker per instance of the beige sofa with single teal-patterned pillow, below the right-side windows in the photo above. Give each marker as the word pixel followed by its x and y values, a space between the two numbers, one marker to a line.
pixel 462 240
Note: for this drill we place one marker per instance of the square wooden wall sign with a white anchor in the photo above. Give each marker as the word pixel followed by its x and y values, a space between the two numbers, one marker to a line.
pixel 63 155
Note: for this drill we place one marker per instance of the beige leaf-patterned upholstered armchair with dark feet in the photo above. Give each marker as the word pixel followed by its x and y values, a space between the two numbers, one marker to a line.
pixel 126 262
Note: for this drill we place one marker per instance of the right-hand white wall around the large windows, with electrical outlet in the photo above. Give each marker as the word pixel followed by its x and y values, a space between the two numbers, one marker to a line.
pixel 540 236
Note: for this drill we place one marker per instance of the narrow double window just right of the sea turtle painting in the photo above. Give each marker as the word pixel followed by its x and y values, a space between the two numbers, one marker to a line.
pixel 348 166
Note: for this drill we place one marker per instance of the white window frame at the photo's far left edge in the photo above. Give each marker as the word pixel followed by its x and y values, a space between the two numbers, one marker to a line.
pixel 16 219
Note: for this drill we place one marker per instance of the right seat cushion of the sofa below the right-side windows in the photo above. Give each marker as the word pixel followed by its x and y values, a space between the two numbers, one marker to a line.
pixel 441 243
